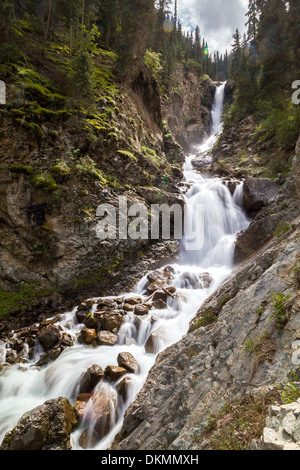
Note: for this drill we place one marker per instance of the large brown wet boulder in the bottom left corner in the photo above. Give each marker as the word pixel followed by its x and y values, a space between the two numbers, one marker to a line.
pixel 46 427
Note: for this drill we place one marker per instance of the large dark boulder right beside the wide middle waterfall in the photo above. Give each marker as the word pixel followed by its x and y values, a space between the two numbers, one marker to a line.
pixel 258 193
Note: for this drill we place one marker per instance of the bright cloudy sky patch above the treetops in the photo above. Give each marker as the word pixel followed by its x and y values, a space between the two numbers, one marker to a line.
pixel 217 20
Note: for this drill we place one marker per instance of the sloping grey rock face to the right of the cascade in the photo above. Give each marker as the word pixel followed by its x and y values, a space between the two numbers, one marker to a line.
pixel 243 342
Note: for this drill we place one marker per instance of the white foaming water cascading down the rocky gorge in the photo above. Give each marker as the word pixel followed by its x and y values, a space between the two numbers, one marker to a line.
pixel 24 387
